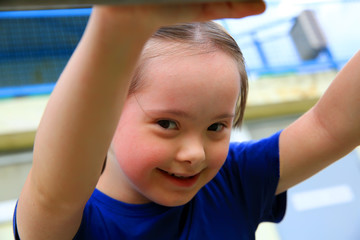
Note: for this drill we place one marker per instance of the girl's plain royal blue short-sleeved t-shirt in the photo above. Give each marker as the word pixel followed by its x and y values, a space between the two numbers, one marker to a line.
pixel 230 206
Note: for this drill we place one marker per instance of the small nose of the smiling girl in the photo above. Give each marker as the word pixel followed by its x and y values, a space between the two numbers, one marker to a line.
pixel 191 151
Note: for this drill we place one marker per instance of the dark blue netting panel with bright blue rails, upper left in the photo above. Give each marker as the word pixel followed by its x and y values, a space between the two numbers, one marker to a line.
pixel 35 46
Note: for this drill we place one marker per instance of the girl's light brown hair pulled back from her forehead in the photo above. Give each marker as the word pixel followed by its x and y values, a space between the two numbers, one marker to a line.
pixel 200 37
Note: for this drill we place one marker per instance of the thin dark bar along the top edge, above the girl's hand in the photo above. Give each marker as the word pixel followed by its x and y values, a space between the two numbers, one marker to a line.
pixel 58 4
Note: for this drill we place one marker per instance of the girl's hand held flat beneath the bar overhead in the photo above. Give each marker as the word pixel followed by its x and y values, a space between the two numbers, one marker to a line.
pixel 165 14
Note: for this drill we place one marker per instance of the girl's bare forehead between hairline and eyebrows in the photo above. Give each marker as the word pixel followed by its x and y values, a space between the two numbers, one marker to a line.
pixel 180 76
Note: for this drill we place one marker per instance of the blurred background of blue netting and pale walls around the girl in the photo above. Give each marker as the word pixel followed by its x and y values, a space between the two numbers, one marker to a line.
pixel 292 52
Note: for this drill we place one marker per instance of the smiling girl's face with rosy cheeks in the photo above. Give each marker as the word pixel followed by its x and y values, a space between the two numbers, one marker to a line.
pixel 173 135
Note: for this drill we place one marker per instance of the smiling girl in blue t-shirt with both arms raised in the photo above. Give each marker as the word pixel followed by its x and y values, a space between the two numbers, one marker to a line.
pixel 134 143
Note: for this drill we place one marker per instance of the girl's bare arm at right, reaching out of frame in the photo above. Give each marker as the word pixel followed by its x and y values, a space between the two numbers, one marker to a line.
pixel 329 131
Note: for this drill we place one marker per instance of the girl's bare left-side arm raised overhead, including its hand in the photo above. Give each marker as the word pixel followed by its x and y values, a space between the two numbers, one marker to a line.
pixel 83 110
